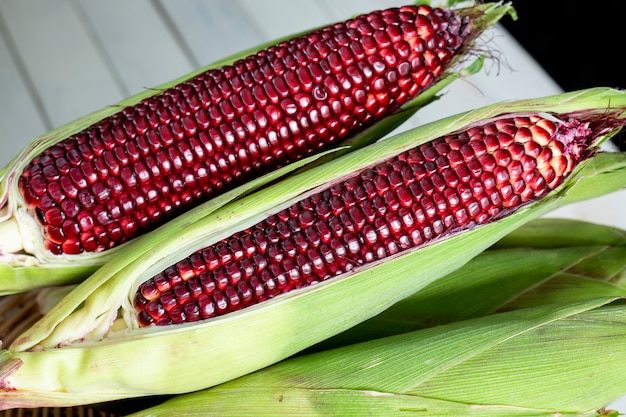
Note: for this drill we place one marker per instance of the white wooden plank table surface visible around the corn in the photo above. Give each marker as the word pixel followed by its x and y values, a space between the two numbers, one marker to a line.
pixel 62 59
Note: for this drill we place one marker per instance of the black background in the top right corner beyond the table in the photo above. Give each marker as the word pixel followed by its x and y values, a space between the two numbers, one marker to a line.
pixel 579 44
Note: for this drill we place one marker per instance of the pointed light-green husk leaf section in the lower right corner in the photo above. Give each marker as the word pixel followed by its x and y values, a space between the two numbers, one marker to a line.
pixel 578 362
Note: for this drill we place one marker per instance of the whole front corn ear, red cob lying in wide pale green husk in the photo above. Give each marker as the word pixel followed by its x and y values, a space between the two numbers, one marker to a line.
pixel 304 259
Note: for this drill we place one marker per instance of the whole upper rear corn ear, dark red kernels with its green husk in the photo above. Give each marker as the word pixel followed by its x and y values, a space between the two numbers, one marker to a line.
pixel 72 199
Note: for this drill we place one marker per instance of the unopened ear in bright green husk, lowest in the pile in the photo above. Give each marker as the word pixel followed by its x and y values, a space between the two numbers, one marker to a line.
pixel 548 360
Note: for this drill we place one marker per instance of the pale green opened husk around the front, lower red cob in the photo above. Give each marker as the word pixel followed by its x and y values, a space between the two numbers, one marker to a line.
pixel 96 325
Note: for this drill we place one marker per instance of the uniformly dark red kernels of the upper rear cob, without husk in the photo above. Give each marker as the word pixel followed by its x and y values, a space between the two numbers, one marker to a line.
pixel 147 163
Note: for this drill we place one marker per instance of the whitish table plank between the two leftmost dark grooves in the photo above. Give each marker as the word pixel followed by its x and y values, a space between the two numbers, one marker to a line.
pixel 67 69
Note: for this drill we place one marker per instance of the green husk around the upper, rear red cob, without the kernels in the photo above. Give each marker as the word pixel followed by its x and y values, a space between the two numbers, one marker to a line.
pixel 38 268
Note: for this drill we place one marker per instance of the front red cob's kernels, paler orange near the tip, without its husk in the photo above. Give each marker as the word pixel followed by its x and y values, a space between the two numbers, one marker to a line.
pixel 452 183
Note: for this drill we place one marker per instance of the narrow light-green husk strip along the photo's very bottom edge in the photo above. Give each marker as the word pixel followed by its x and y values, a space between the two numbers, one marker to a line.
pixel 328 402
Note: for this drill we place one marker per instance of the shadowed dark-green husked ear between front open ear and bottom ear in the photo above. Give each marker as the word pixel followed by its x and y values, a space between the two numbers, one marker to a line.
pixel 545 261
